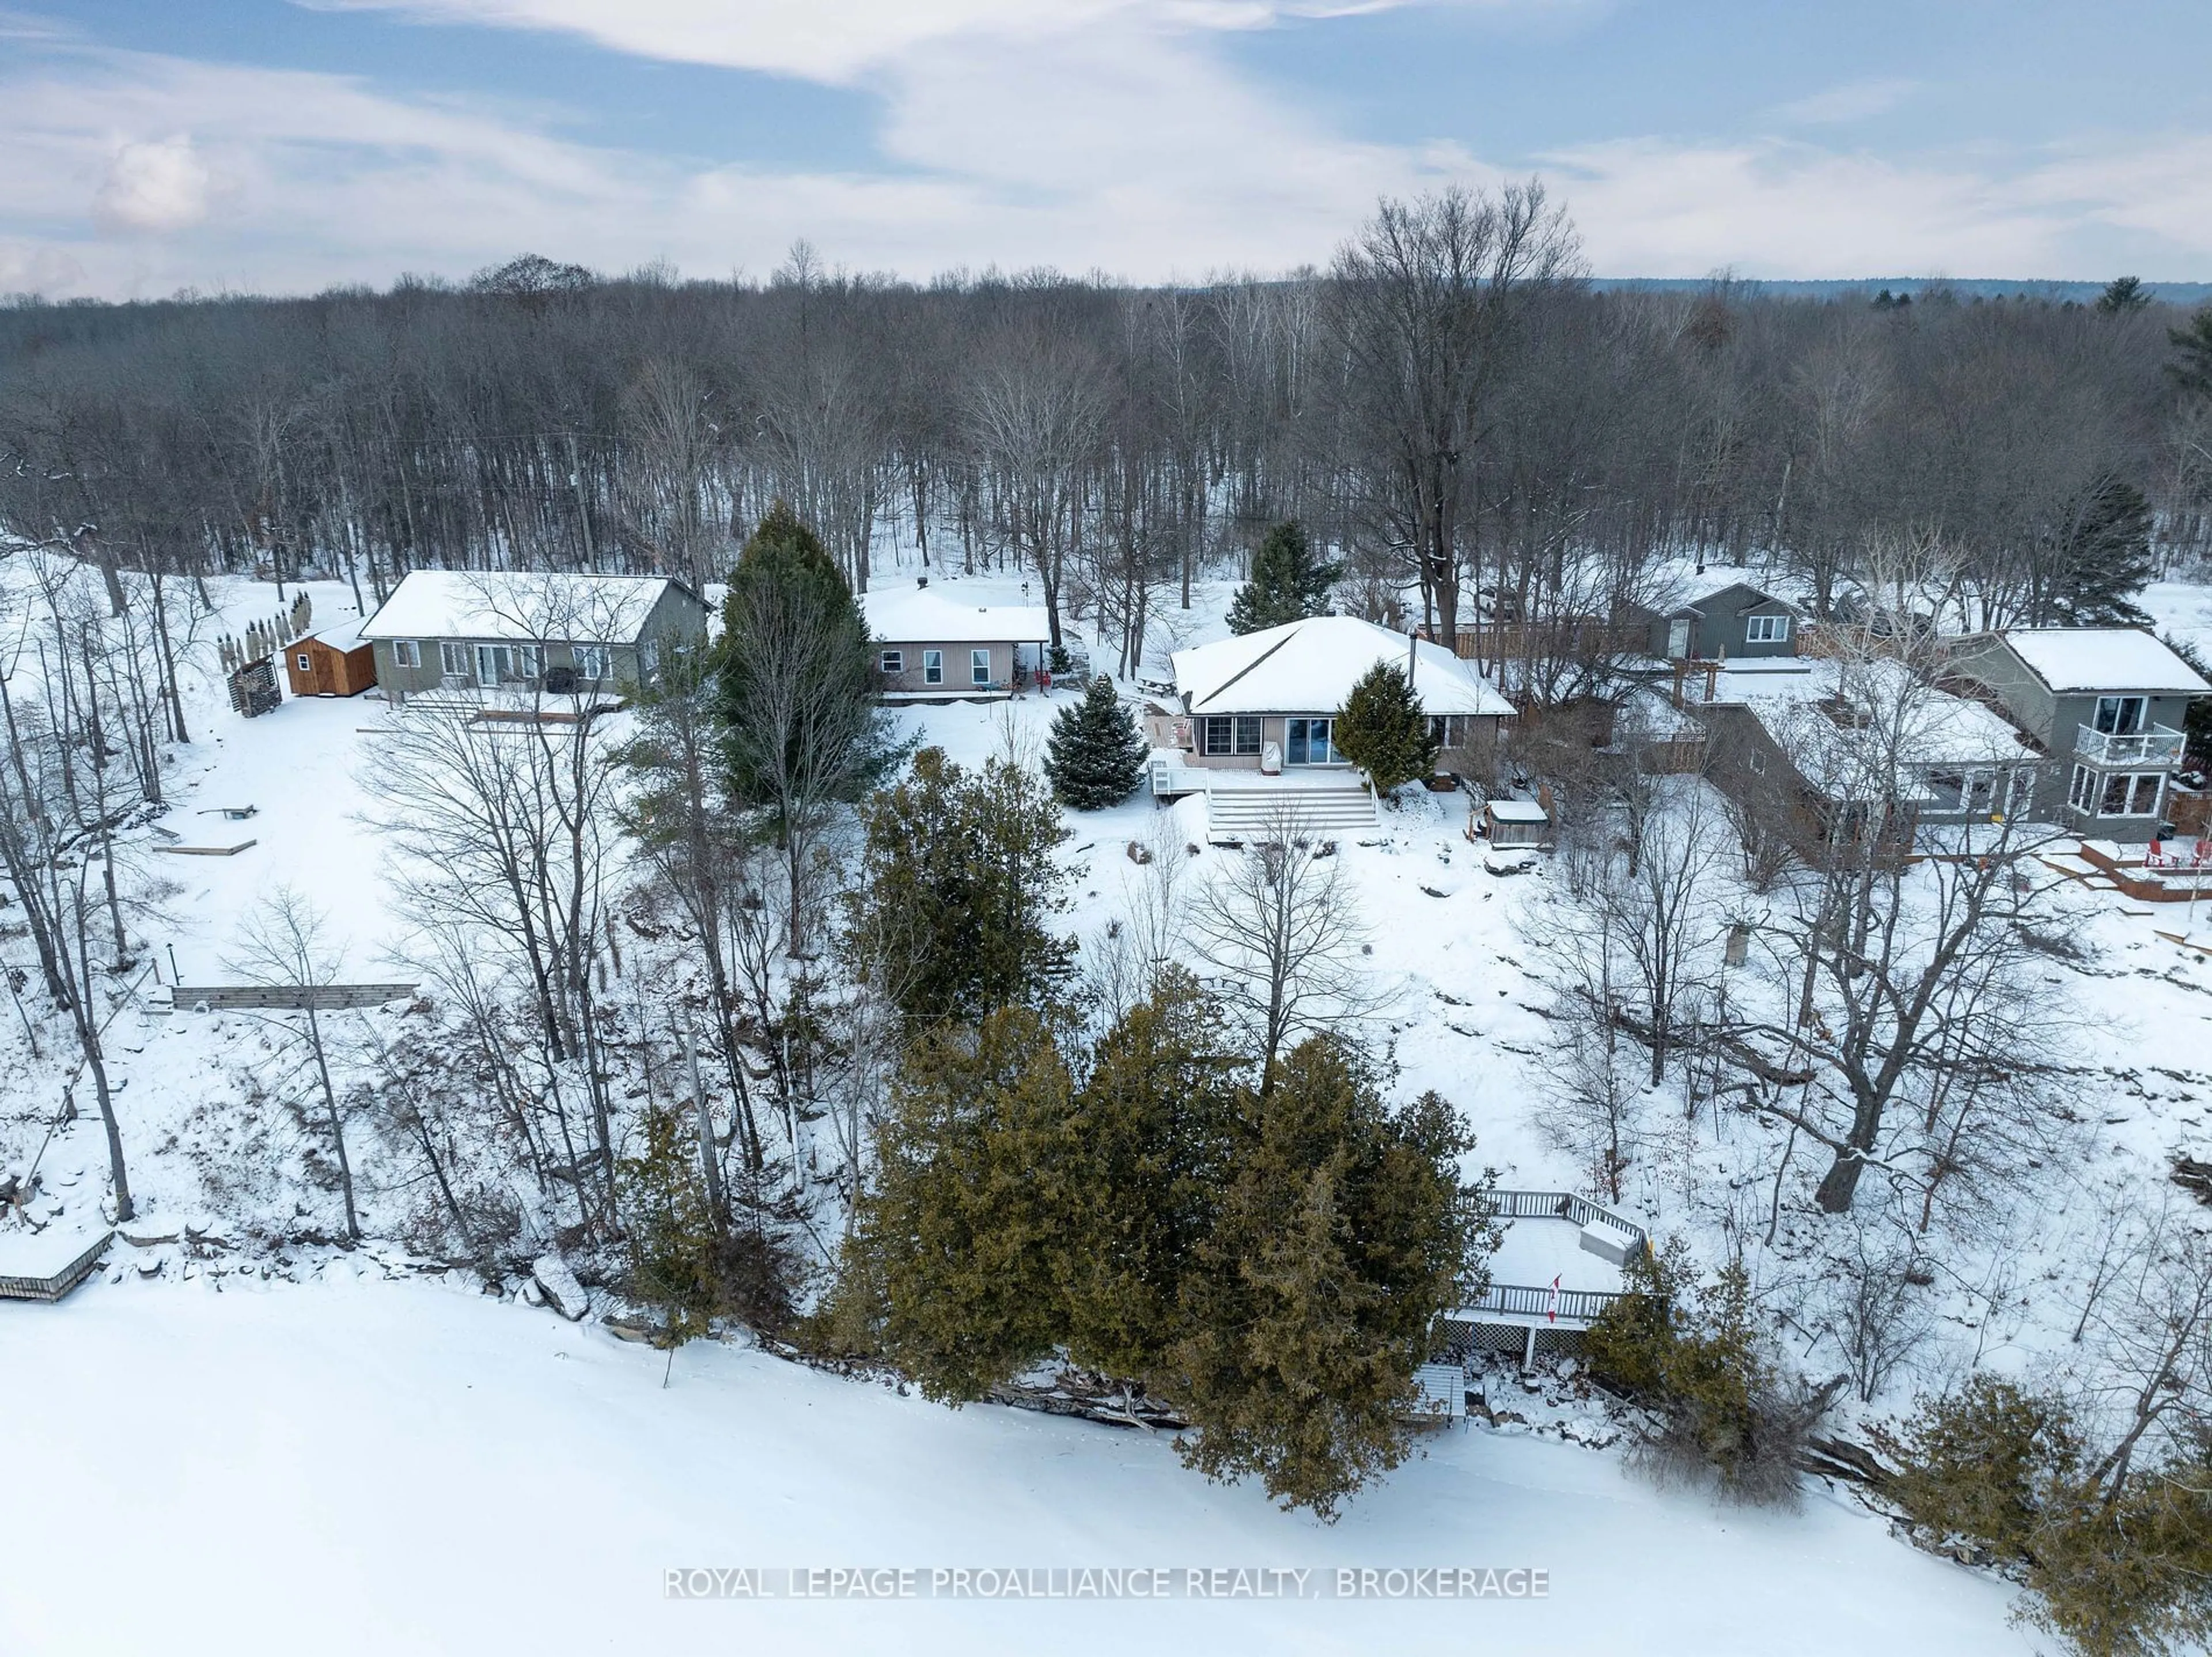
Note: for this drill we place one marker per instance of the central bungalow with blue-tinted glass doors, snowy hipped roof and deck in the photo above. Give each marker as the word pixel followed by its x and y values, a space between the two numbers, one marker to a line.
pixel 1255 718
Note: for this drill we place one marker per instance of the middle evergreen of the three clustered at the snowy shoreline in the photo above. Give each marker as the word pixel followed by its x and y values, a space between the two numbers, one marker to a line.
pixel 1154 1136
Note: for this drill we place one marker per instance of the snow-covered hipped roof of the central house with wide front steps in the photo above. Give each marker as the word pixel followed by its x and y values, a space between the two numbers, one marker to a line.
pixel 1311 667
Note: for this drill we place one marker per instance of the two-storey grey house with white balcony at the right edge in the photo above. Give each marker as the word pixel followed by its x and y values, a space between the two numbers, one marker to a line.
pixel 2105 705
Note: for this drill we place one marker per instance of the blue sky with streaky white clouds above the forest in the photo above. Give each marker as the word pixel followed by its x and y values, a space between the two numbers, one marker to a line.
pixel 295 145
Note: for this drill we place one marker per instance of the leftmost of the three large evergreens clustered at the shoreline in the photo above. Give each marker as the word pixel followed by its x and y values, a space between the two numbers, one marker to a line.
pixel 963 1233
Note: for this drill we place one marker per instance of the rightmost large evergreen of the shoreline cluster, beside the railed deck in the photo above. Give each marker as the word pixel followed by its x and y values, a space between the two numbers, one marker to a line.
pixel 1342 1238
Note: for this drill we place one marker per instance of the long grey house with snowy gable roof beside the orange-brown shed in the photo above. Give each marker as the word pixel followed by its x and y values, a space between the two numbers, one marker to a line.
pixel 534 634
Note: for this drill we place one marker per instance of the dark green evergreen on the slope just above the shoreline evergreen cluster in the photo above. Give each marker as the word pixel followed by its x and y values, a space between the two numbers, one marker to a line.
pixel 957 893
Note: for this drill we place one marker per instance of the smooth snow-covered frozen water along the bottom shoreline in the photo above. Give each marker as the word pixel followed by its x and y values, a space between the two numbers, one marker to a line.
pixel 388 1468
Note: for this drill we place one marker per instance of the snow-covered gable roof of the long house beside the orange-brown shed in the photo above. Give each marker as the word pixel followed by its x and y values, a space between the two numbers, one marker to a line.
pixel 517 605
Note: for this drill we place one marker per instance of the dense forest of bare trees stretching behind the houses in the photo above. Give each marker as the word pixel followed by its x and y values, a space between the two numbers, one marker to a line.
pixel 1481 433
